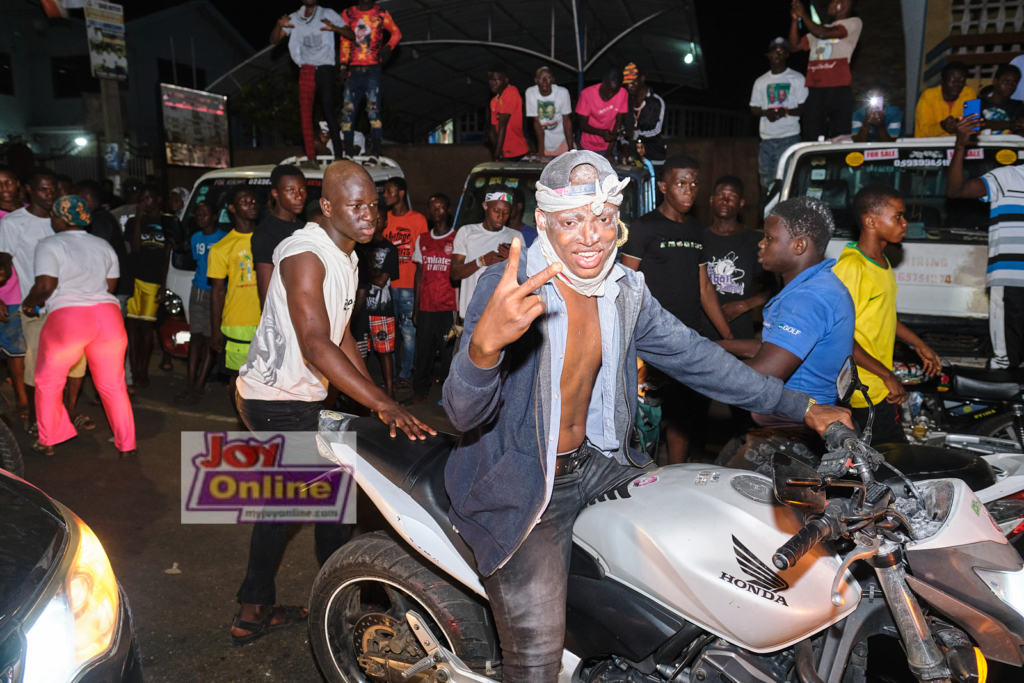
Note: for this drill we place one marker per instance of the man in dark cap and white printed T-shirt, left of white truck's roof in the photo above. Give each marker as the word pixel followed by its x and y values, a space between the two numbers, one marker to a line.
pixel 780 116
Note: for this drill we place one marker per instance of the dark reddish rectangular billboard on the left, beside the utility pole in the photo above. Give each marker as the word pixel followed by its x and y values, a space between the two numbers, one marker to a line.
pixel 195 127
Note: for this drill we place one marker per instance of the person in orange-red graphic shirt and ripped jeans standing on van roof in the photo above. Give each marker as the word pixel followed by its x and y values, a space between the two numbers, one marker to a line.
pixel 362 59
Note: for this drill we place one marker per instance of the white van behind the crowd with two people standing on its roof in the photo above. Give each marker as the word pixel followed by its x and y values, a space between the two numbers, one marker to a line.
pixel 215 187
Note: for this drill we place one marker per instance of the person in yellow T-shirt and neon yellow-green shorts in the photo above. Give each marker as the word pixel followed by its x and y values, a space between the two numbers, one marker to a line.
pixel 235 306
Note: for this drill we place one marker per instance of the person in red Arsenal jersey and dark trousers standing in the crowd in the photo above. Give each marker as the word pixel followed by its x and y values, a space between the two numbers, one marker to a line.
pixel 437 306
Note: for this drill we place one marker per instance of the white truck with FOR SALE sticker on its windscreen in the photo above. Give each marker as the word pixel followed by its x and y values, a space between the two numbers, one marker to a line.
pixel 941 267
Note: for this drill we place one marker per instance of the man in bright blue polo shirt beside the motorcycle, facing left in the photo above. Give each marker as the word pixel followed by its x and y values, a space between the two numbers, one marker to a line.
pixel 808 327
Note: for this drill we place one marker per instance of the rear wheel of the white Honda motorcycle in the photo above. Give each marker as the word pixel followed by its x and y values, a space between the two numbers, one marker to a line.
pixel 358 609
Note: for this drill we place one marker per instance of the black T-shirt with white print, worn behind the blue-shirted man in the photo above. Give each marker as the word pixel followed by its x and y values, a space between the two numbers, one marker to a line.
pixel 733 268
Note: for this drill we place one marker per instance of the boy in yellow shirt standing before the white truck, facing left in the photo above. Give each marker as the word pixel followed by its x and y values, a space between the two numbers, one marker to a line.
pixel 867 273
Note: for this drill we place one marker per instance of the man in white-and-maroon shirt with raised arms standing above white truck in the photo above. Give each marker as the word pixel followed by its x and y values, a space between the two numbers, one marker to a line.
pixel 829 111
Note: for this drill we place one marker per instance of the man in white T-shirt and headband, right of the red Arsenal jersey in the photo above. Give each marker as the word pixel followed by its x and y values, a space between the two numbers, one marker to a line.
pixel 482 245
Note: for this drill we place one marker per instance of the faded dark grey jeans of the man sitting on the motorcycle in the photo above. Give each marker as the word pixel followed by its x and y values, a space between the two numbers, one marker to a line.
pixel 528 593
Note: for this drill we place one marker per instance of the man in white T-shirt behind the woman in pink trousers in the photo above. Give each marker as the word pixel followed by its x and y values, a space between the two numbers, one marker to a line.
pixel 20 232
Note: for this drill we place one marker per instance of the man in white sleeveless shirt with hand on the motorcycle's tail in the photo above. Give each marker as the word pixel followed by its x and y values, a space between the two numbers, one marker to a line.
pixel 304 345
